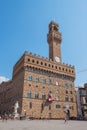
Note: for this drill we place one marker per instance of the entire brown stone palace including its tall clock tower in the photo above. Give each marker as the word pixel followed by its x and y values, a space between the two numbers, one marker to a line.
pixel 35 78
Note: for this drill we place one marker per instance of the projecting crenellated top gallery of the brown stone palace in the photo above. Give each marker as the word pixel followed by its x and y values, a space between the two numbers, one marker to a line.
pixel 36 61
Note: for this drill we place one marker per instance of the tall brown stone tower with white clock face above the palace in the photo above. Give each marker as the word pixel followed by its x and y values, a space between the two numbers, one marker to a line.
pixel 54 38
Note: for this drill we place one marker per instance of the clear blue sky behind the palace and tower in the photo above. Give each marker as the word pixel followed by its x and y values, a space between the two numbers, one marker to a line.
pixel 24 26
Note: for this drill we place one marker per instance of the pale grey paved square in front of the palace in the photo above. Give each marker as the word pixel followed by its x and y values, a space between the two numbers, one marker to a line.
pixel 42 125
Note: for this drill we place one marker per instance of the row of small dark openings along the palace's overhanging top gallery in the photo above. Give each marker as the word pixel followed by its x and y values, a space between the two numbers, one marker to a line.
pixel 51 66
